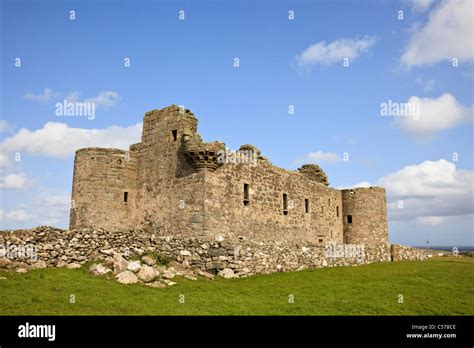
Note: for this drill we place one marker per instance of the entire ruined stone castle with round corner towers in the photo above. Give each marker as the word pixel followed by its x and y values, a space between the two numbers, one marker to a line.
pixel 177 184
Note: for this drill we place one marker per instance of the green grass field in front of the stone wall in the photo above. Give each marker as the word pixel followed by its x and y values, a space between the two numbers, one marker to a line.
pixel 439 286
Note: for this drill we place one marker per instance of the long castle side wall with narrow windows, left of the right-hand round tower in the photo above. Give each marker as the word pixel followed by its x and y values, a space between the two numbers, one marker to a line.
pixel 314 211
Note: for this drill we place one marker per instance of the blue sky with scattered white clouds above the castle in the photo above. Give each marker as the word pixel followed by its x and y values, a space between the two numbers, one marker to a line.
pixel 283 62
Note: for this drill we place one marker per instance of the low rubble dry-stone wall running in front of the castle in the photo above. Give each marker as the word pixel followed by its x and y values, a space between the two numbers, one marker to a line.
pixel 57 248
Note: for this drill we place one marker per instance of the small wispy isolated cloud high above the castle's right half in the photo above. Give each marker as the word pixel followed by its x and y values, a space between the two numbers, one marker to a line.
pixel 336 51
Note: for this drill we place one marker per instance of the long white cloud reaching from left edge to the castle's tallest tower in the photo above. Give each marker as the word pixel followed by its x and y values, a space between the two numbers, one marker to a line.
pixel 60 141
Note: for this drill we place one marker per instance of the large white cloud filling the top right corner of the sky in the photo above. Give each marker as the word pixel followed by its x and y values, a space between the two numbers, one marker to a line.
pixel 447 34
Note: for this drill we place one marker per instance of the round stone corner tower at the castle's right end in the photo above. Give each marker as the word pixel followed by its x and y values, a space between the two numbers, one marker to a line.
pixel 365 215
